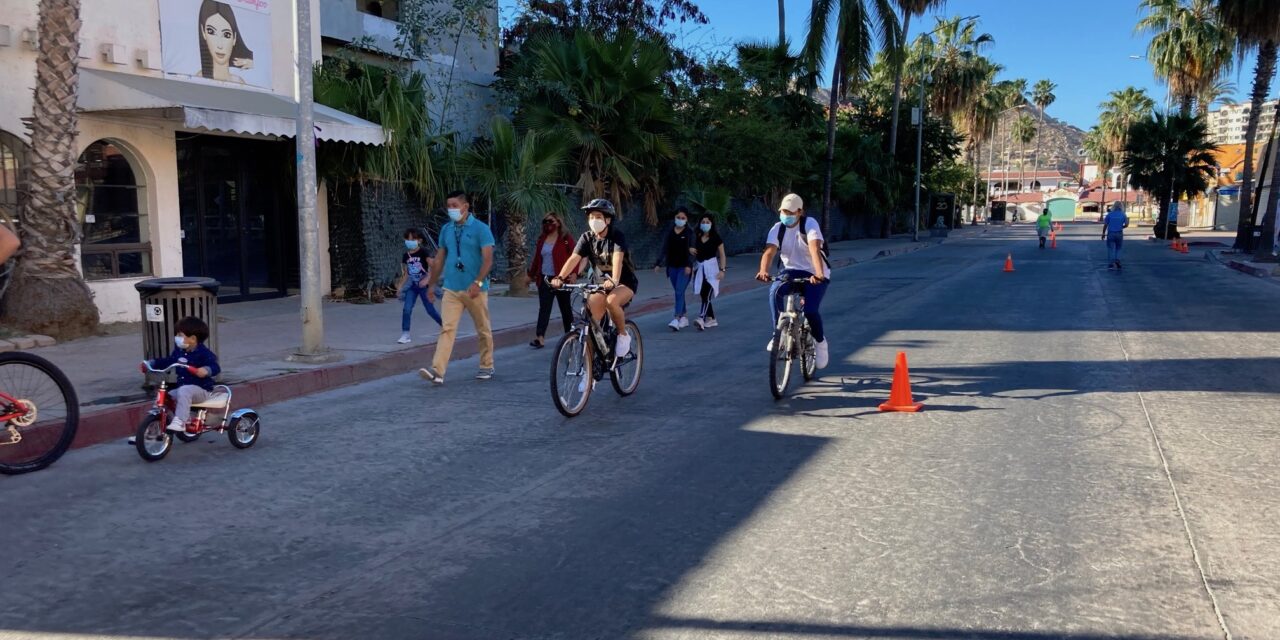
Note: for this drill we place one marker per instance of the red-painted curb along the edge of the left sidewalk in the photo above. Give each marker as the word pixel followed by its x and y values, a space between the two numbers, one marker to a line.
pixel 121 422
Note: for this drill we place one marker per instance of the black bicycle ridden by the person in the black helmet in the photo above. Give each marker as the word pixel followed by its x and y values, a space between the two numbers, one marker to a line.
pixel 586 354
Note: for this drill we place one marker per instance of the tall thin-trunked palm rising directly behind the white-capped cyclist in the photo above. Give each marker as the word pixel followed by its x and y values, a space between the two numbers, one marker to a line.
pixel 858 25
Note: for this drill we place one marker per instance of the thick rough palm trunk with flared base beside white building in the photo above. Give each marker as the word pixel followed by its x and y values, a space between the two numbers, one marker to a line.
pixel 49 294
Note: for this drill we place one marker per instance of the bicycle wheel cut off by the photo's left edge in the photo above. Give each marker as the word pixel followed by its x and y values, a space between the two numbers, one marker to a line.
pixel 47 409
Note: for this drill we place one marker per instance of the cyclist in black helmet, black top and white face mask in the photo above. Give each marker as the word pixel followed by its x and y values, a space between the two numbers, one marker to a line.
pixel 607 252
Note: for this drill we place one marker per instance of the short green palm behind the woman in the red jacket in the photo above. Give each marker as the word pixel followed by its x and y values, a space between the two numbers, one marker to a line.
pixel 518 173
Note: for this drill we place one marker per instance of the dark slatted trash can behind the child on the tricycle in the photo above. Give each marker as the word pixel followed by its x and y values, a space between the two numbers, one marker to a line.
pixel 168 300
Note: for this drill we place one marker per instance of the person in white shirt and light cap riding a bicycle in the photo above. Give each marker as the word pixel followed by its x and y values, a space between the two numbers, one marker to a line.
pixel 798 240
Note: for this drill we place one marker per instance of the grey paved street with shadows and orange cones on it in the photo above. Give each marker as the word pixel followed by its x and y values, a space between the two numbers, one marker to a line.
pixel 1098 459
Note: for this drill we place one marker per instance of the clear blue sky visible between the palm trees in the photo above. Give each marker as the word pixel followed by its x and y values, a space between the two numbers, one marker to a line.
pixel 1084 45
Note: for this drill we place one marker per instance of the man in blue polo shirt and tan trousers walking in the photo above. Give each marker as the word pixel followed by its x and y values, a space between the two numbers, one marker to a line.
pixel 465 259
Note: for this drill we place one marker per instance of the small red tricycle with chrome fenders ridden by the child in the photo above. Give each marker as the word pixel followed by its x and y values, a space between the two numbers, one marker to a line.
pixel 154 442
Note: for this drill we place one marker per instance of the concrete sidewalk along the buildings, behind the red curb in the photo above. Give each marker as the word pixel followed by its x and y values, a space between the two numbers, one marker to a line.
pixel 255 339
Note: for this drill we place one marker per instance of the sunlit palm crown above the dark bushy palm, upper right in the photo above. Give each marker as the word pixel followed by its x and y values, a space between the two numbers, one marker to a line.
pixel 1191 49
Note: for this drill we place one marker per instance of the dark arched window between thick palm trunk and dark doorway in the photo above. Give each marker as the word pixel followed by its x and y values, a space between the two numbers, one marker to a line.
pixel 117 239
